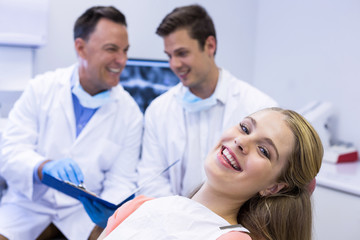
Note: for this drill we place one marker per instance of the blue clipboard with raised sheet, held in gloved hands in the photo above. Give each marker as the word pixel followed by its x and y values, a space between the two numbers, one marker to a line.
pixel 75 191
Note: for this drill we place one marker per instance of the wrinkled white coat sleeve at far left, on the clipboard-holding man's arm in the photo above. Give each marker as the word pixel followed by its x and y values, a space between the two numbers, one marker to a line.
pixel 19 153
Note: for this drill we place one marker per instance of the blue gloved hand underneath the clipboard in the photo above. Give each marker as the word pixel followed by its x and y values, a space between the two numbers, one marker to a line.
pixel 98 213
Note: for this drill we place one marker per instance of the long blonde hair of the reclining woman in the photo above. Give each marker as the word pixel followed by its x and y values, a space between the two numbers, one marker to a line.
pixel 288 213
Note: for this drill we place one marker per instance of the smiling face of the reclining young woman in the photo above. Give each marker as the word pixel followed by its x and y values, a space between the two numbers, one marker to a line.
pixel 249 157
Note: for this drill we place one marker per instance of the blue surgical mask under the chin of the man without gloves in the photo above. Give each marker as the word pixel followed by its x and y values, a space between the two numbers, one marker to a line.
pixel 192 103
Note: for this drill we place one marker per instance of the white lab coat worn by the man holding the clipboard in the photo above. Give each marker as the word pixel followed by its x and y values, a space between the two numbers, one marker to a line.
pixel 42 126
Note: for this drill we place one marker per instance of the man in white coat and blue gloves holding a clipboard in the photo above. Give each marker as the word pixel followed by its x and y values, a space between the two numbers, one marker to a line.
pixel 76 124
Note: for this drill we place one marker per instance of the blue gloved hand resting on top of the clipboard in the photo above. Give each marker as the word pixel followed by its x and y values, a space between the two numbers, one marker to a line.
pixel 64 169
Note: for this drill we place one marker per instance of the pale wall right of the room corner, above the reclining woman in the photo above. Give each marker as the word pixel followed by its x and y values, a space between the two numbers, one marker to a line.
pixel 310 50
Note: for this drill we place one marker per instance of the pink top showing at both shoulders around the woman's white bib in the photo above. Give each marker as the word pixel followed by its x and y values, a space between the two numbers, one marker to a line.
pixel 131 206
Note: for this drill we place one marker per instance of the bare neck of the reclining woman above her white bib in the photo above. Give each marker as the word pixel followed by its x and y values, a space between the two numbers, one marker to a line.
pixel 222 205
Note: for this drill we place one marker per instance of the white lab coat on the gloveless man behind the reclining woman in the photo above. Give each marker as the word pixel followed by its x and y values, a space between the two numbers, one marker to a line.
pixel 165 135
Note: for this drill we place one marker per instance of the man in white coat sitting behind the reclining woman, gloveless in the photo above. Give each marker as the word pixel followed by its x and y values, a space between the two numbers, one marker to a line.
pixel 185 122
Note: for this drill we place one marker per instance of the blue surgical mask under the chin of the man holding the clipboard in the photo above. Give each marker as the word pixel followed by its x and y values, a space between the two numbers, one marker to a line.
pixel 88 101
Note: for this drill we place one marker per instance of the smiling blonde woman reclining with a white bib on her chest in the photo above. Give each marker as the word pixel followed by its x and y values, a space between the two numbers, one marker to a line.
pixel 256 188
